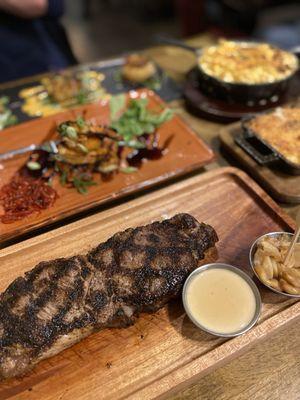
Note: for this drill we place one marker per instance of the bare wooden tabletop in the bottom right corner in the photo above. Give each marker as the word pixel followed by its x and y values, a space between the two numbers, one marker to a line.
pixel 269 371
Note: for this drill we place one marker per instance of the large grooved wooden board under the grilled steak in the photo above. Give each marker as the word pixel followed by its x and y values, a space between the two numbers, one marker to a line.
pixel 162 352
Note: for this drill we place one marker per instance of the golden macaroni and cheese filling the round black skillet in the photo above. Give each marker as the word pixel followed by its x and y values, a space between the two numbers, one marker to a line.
pixel 246 62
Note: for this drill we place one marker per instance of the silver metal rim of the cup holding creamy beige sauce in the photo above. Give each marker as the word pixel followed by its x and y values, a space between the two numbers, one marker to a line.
pixel 240 273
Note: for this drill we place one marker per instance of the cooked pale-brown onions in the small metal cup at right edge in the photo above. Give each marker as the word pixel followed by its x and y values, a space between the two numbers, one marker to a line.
pixel 269 266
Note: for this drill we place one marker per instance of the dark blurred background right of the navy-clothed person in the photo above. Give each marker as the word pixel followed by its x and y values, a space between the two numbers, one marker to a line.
pixel 103 28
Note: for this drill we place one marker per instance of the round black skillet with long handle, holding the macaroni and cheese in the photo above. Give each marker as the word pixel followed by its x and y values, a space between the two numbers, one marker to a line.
pixel 249 94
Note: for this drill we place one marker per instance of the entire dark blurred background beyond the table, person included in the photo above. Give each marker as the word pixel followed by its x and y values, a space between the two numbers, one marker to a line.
pixel 41 35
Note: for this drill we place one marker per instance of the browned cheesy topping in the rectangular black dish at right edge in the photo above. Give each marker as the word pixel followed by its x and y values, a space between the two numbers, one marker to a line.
pixel 281 129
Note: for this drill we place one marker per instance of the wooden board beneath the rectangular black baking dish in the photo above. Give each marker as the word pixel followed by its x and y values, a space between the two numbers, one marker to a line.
pixel 281 186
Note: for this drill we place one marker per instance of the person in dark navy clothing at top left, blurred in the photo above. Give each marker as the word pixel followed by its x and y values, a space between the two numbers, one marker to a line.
pixel 32 40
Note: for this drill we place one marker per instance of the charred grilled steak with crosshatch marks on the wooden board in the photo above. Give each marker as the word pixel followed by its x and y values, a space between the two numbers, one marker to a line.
pixel 59 302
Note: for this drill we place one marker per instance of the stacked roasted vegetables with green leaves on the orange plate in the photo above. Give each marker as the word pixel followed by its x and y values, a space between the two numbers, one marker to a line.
pixel 84 149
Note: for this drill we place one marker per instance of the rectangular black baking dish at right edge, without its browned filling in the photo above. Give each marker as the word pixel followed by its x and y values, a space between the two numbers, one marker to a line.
pixel 262 152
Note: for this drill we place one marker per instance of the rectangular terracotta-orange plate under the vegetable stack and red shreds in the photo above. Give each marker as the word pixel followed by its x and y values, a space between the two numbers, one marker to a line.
pixel 185 153
